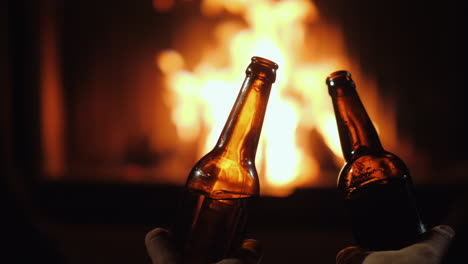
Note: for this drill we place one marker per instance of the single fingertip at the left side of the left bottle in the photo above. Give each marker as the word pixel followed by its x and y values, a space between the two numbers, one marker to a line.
pixel 159 247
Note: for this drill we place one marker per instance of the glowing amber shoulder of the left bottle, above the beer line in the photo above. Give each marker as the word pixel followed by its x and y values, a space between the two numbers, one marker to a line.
pixel 221 177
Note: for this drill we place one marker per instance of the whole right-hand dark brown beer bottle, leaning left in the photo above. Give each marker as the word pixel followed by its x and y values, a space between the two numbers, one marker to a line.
pixel 375 184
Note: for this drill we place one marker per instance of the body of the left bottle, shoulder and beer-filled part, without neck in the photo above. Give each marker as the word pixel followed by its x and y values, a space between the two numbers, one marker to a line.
pixel 212 222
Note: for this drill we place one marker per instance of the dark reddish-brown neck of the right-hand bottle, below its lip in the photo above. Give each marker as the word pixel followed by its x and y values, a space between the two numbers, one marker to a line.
pixel 357 133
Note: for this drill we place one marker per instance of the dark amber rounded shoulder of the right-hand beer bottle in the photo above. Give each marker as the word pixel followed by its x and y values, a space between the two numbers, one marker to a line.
pixel 372 168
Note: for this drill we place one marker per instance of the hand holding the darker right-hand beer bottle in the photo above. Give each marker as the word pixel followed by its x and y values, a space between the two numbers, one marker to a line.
pixel 429 250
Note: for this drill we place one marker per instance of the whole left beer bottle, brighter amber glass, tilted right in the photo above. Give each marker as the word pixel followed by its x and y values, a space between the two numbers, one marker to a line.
pixel 223 184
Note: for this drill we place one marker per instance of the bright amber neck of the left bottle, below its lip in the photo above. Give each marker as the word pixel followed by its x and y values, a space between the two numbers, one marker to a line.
pixel 241 133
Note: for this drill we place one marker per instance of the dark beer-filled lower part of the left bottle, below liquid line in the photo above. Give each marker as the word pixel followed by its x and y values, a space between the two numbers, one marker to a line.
pixel 210 229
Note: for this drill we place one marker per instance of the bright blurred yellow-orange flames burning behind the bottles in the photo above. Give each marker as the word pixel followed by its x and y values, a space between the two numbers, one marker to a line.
pixel 299 101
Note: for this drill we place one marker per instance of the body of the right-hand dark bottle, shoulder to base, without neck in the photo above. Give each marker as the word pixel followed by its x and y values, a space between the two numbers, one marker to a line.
pixel 379 199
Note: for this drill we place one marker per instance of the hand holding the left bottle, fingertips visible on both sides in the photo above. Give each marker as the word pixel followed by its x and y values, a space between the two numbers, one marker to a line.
pixel 158 245
